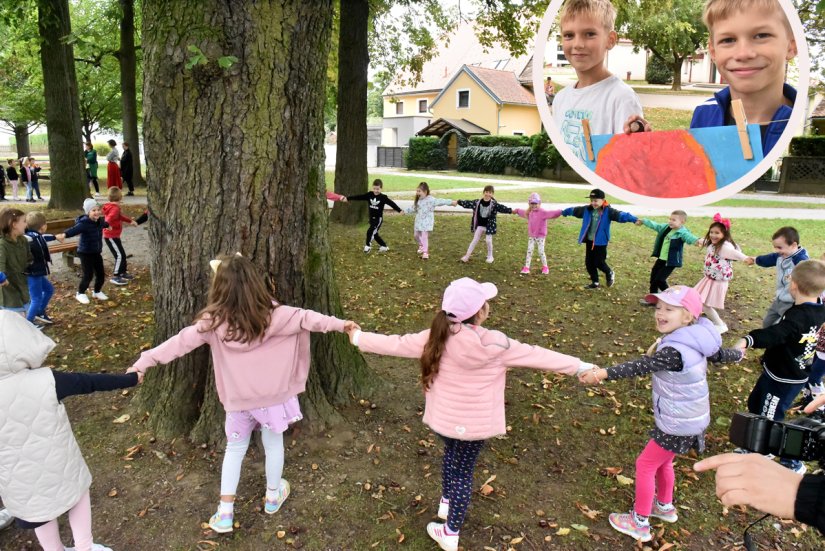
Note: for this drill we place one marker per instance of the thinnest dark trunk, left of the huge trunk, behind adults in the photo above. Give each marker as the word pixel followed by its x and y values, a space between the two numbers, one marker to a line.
pixel 128 91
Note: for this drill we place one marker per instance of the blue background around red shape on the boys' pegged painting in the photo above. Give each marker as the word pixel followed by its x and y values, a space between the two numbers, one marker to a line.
pixel 721 144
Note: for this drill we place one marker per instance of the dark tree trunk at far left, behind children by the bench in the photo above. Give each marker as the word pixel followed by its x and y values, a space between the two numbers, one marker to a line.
pixel 67 168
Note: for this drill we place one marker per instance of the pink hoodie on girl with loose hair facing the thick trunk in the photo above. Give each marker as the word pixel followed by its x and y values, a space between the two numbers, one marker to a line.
pixel 257 374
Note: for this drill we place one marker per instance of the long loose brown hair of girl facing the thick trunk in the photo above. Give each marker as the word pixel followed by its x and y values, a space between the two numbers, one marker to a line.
pixel 240 298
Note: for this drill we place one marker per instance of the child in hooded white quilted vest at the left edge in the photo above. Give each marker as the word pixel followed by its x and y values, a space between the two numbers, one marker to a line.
pixel 33 479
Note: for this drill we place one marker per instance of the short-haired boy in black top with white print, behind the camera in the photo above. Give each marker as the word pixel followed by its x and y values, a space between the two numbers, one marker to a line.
pixel 790 348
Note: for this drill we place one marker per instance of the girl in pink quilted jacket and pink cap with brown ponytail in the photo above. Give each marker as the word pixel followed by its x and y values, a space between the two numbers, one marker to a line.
pixel 463 371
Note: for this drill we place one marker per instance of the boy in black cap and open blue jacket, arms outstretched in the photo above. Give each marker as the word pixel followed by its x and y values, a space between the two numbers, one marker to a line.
pixel 595 234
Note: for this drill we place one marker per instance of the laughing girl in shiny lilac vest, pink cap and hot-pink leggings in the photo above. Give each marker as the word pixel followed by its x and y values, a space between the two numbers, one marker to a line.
pixel 678 362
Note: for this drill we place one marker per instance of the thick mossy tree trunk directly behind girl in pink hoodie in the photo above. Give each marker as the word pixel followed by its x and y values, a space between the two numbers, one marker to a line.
pixel 246 145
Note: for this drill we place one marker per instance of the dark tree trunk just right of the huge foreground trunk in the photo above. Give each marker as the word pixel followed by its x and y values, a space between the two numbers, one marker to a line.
pixel 351 155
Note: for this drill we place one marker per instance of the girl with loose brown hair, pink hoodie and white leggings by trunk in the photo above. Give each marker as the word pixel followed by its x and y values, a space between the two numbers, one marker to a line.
pixel 260 352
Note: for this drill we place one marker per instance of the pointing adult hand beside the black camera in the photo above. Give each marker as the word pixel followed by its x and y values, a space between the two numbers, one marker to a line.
pixel 754 480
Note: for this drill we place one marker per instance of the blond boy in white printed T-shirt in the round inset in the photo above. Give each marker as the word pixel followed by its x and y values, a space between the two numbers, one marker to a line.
pixel 587 33
